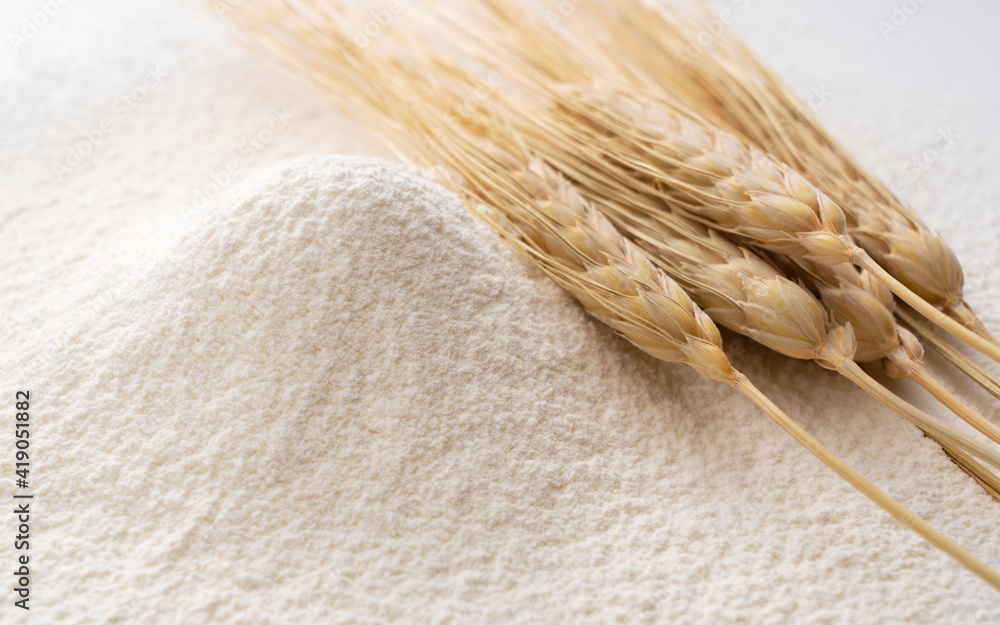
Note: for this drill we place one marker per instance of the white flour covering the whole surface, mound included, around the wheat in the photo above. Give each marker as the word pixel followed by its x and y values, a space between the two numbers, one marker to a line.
pixel 287 409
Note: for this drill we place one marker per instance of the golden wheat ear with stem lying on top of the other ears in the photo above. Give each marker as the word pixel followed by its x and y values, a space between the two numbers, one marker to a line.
pixel 734 187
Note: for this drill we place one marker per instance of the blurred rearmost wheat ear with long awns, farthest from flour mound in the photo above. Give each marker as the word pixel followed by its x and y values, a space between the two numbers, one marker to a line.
pixel 657 52
